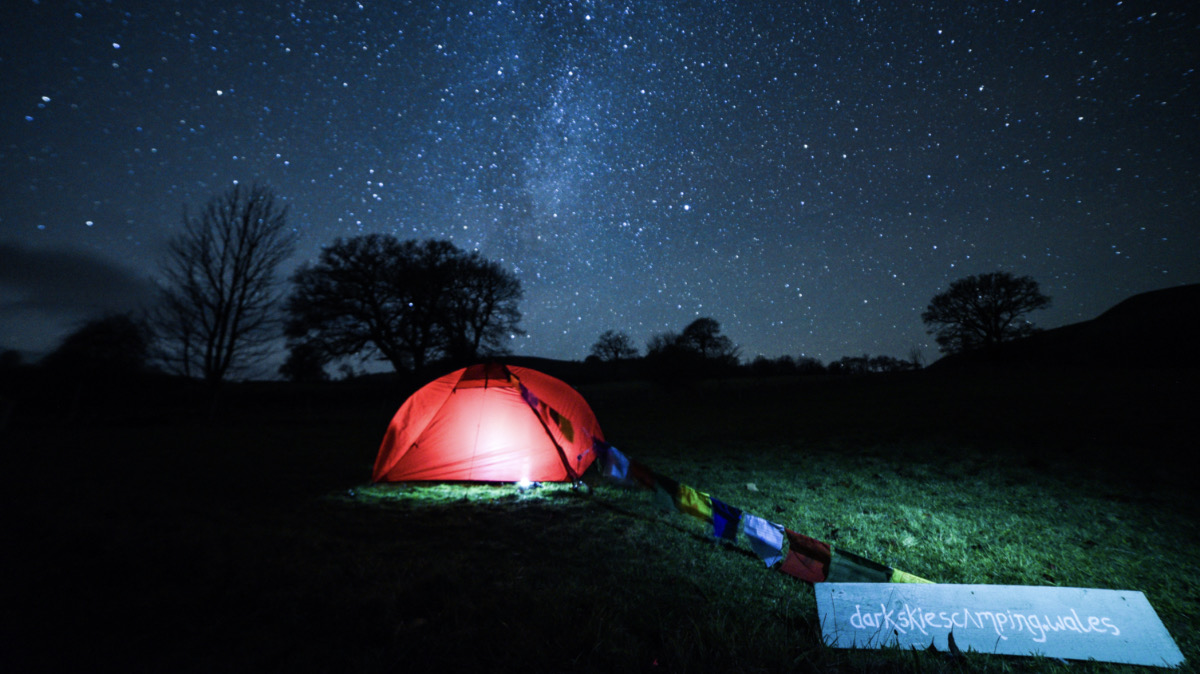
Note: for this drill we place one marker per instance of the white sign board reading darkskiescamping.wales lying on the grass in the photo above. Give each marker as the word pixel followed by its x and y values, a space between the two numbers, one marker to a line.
pixel 1067 623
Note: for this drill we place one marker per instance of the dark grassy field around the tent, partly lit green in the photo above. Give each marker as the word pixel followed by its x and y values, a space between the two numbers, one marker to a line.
pixel 159 540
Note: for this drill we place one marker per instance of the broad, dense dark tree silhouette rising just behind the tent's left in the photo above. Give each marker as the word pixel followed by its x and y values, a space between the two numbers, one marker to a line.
pixel 406 303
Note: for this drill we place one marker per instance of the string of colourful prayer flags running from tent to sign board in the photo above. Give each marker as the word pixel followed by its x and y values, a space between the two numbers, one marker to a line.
pixel 806 558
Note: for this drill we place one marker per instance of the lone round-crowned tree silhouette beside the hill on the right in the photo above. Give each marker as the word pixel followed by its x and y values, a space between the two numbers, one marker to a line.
pixel 983 311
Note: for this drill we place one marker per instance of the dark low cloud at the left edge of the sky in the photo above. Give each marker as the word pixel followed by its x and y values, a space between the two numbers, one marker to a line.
pixel 45 293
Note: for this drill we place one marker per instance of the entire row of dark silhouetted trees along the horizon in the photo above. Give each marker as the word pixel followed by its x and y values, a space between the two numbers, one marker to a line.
pixel 223 309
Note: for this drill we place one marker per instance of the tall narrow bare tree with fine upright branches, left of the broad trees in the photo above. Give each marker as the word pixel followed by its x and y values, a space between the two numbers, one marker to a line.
pixel 218 312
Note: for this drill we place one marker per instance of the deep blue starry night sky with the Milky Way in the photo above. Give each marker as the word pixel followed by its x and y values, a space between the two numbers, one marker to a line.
pixel 811 174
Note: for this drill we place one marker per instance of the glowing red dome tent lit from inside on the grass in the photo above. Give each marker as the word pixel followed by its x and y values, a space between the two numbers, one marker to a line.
pixel 479 424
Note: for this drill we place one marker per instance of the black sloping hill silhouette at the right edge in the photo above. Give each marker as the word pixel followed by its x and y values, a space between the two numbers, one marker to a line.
pixel 1156 329
